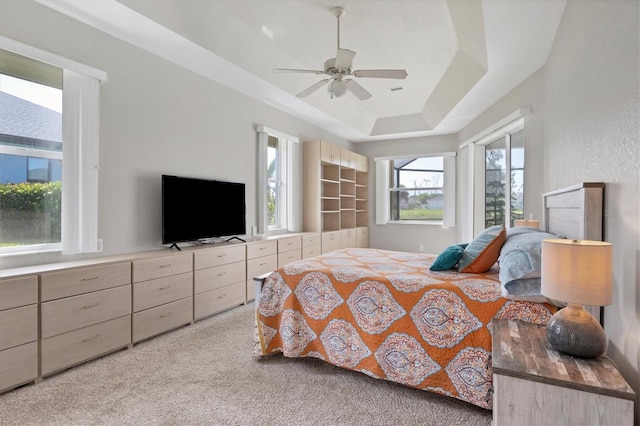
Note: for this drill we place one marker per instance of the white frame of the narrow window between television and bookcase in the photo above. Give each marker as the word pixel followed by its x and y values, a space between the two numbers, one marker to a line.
pixel 289 189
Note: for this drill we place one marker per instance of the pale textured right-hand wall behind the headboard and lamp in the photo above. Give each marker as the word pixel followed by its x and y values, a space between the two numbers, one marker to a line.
pixel 592 133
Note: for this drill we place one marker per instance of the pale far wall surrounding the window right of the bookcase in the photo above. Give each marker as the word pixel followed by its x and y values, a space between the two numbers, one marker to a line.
pixel 406 237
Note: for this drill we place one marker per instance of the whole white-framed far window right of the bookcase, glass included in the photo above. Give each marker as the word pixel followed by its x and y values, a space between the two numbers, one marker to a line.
pixel 416 189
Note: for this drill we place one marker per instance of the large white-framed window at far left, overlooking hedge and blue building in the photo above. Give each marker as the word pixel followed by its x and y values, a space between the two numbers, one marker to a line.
pixel 47 203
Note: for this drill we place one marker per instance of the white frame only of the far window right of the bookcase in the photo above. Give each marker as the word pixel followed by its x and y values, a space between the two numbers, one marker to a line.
pixel 383 187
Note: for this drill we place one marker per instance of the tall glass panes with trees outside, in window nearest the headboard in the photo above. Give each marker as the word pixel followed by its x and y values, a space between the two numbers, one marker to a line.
pixel 504 179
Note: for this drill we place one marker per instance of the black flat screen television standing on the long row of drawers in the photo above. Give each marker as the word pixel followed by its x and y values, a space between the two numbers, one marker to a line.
pixel 194 209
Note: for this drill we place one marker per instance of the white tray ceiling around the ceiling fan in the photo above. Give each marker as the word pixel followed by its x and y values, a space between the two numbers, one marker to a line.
pixel 461 55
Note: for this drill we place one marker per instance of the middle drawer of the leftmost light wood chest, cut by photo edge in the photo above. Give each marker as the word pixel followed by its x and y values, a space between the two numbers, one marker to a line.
pixel 18 326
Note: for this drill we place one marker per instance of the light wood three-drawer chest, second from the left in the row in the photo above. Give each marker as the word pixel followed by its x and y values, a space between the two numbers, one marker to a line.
pixel 85 313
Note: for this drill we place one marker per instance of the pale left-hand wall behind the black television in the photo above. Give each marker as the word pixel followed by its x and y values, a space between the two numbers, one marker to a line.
pixel 156 118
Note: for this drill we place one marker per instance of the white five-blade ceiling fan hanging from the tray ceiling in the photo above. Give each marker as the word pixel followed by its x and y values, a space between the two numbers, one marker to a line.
pixel 339 68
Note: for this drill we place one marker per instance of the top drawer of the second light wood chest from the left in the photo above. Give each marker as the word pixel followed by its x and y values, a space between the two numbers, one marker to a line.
pixel 56 285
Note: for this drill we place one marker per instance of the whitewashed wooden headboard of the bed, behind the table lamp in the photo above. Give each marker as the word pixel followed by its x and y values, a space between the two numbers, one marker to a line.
pixel 576 212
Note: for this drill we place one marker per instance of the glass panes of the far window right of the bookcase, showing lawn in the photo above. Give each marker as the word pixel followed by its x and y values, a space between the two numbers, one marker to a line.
pixel 416 189
